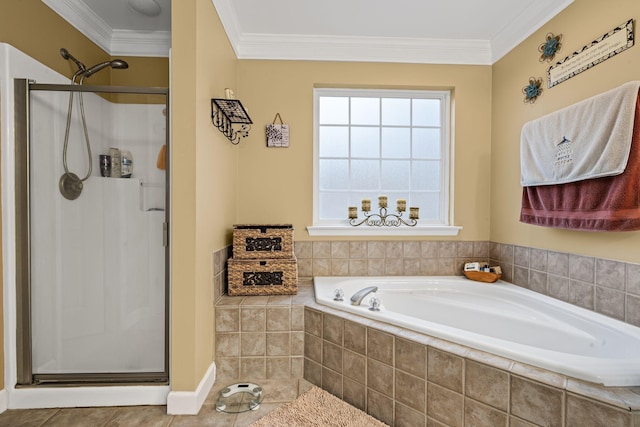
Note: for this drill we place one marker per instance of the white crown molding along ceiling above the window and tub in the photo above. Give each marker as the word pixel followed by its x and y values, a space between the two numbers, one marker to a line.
pixel 374 49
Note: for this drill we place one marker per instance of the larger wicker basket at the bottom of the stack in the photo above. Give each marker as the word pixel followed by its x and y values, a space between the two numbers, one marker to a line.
pixel 263 277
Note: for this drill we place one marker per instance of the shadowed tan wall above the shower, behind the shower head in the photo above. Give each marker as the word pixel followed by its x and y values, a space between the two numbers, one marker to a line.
pixel 19 19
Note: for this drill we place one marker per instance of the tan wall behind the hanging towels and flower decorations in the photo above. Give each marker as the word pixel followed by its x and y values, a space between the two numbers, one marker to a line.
pixel 580 23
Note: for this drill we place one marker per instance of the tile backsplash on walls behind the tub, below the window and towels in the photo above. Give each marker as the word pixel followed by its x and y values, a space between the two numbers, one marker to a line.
pixel 605 286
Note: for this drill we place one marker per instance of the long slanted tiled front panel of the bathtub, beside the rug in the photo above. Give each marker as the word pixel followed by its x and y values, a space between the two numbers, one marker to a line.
pixel 409 379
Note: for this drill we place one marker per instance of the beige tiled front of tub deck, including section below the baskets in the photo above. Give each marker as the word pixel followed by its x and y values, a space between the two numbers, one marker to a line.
pixel 401 377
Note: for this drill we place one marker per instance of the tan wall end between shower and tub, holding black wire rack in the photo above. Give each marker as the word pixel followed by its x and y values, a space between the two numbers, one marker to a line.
pixel 203 184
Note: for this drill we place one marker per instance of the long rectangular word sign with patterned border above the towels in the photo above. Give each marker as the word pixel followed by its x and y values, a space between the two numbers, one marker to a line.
pixel 615 41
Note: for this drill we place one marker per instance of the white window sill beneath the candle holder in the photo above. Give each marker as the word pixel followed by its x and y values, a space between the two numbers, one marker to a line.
pixel 419 230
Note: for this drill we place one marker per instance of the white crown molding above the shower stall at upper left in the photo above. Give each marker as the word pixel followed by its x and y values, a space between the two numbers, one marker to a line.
pixel 114 42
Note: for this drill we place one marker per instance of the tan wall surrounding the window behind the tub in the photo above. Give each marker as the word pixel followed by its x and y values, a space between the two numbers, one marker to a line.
pixel 276 184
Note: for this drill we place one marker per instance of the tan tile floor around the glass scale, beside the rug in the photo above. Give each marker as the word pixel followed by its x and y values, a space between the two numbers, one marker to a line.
pixel 276 393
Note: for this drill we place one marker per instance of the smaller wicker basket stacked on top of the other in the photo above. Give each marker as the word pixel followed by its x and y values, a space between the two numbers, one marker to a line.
pixel 256 241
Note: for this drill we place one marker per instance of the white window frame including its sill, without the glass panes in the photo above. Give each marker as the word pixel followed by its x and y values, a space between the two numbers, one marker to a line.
pixel 423 228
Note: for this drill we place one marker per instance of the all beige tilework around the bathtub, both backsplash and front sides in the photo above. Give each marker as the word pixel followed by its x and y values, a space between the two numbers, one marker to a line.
pixel 387 370
